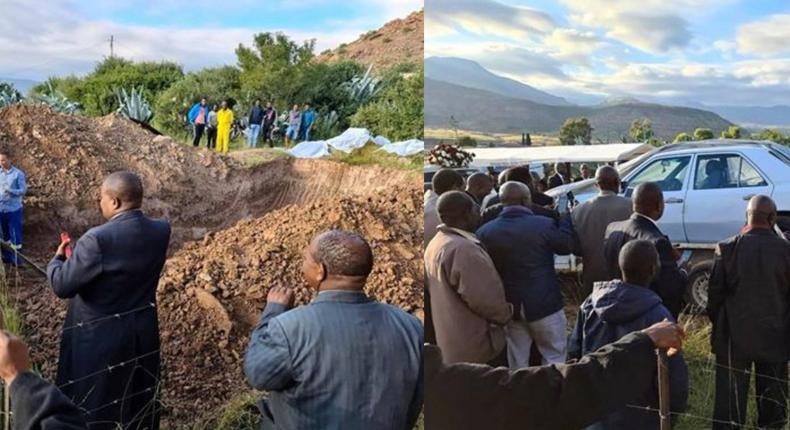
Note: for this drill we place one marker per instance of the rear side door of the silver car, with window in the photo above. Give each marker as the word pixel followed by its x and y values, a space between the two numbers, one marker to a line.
pixel 716 202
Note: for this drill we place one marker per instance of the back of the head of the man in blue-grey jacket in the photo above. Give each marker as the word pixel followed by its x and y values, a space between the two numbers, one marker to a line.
pixel 343 253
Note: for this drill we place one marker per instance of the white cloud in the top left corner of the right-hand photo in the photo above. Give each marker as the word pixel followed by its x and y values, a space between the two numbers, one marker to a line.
pixel 486 17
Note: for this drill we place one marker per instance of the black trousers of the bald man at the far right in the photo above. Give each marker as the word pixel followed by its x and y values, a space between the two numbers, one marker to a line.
pixel 733 377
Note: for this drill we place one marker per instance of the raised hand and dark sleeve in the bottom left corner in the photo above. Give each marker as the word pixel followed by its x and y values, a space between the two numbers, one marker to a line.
pixel 35 403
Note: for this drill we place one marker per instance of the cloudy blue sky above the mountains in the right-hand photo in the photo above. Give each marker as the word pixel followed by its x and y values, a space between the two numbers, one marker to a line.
pixel 724 52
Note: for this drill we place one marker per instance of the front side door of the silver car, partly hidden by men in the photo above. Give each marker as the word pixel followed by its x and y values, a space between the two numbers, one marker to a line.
pixel 671 174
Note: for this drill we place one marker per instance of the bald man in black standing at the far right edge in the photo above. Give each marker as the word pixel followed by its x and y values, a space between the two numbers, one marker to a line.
pixel 749 306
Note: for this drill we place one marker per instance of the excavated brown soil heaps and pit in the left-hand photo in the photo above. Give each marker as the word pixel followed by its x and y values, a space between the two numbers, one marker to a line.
pixel 237 231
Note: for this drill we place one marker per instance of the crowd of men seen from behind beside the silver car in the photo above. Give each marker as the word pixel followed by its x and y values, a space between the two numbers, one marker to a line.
pixel 494 307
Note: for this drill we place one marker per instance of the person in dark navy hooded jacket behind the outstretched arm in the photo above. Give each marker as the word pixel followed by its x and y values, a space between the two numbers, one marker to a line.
pixel 617 308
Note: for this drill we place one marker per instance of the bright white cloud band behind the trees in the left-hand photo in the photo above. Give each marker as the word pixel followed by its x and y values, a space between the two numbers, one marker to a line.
pixel 69 43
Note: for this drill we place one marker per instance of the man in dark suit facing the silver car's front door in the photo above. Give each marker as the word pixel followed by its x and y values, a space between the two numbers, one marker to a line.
pixel 648 200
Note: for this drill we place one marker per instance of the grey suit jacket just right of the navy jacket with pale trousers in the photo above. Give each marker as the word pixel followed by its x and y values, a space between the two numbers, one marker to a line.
pixel 590 220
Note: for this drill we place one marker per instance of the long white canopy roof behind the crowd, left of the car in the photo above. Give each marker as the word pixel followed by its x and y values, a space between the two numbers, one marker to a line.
pixel 617 152
